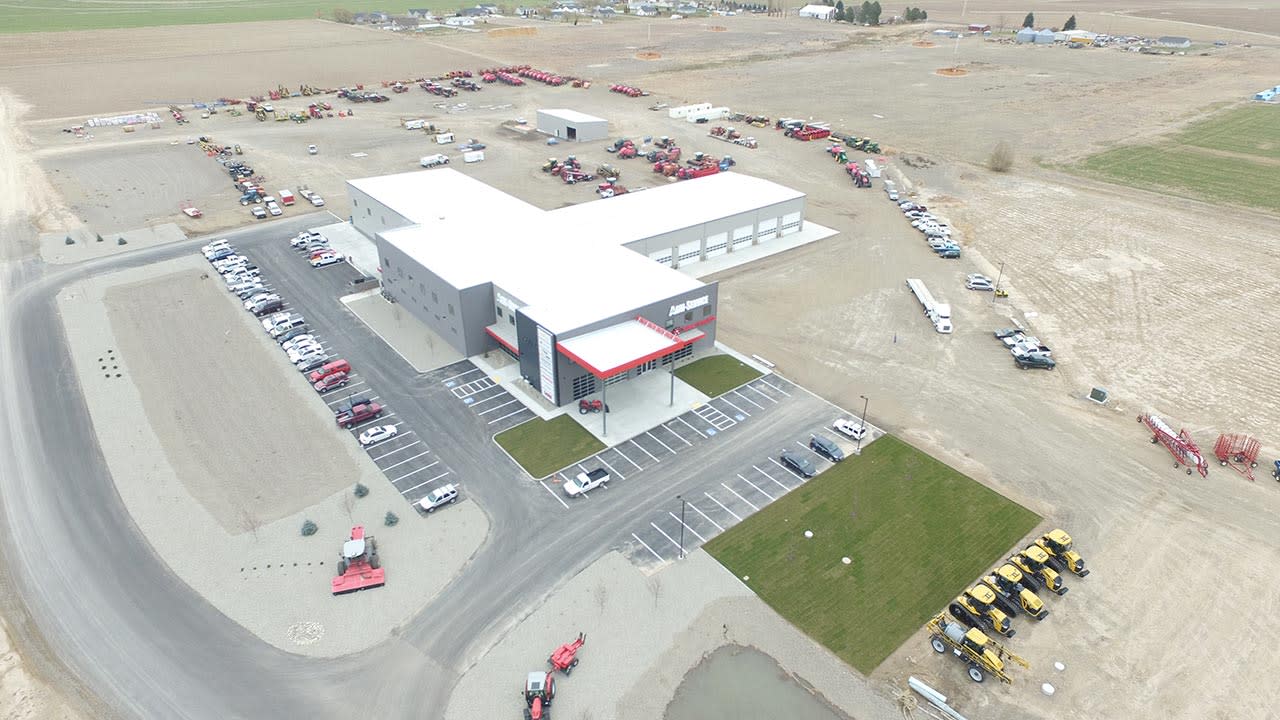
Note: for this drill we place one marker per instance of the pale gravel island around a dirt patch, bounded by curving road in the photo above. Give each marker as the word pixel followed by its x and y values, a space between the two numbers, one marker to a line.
pixel 222 502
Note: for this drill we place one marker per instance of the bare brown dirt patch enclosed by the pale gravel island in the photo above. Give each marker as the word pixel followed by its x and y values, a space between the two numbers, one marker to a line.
pixel 246 464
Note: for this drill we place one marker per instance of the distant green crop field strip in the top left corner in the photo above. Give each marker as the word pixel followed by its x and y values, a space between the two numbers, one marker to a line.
pixel 49 16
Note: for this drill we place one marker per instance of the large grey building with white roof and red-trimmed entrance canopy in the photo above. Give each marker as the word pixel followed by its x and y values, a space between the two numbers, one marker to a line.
pixel 582 297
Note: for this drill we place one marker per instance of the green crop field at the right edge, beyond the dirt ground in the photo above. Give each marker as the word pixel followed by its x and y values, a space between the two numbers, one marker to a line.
pixel 1232 158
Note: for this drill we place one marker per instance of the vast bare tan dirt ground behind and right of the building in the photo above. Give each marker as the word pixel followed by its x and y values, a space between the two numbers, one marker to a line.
pixel 1160 300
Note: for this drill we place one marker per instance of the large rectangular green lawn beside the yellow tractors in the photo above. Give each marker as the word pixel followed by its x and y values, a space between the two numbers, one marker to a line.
pixel 918 534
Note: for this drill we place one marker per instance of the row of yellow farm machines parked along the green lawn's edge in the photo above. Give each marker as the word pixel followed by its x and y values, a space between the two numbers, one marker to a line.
pixel 990 605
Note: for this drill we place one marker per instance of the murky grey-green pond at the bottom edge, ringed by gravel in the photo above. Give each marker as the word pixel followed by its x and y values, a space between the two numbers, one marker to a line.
pixel 742 683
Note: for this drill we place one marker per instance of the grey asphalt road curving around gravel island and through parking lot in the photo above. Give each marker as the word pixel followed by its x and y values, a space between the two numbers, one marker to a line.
pixel 148 646
